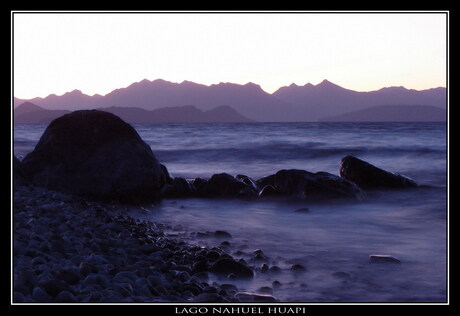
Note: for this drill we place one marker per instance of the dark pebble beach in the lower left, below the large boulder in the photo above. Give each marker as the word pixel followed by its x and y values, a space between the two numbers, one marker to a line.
pixel 68 249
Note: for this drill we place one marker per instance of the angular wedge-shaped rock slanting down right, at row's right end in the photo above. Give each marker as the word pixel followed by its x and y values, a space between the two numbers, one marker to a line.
pixel 368 176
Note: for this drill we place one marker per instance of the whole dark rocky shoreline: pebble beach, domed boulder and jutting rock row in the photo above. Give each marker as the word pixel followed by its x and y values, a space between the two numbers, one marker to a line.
pixel 71 243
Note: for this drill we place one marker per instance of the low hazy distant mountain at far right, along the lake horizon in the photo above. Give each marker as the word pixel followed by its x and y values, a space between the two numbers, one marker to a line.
pixel 392 113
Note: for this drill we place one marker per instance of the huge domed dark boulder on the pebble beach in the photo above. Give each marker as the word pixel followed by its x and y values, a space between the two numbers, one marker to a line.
pixel 96 155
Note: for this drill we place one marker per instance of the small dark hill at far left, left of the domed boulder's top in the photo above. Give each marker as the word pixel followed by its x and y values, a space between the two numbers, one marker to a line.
pixel 29 113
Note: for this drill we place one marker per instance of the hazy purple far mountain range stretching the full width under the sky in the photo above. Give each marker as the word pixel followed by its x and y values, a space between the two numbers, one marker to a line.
pixel 290 103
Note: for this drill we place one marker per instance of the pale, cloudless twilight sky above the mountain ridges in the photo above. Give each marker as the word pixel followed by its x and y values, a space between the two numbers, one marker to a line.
pixel 99 52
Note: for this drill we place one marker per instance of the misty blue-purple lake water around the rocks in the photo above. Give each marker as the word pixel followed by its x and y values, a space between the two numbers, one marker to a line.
pixel 332 240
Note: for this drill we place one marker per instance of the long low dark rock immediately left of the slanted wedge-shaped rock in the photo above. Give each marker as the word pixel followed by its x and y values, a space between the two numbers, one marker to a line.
pixel 316 186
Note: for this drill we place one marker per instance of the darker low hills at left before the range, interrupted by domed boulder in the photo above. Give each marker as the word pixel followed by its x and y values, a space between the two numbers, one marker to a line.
pixel 29 113
